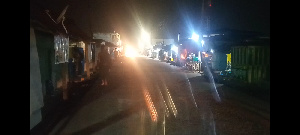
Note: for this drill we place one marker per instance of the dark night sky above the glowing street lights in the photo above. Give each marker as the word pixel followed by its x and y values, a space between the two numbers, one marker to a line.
pixel 163 18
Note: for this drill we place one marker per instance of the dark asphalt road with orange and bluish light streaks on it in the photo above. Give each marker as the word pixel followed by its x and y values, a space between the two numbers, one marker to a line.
pixel 150 97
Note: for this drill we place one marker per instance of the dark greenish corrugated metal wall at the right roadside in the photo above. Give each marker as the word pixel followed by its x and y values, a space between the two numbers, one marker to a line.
pixel 251 63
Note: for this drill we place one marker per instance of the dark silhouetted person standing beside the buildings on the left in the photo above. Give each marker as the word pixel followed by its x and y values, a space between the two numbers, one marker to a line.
pixel 104 64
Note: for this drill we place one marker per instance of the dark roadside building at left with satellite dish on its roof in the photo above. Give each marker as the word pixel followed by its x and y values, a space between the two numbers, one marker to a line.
pixel 50 42
